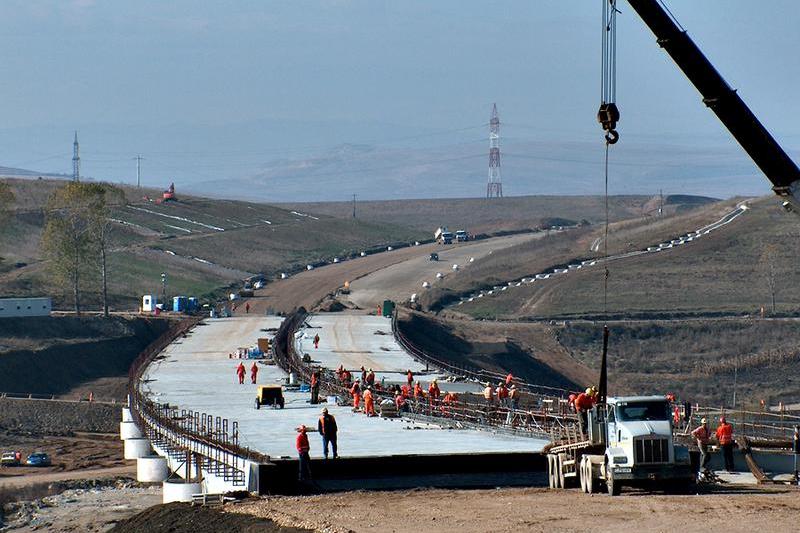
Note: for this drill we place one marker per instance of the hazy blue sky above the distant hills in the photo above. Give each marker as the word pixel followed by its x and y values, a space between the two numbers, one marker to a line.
pixel 256 81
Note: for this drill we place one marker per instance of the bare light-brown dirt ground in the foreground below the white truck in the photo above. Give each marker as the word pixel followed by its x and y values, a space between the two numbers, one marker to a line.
pixel 533 509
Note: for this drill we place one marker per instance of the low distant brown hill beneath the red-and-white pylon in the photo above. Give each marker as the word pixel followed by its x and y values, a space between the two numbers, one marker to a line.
pixel 479 215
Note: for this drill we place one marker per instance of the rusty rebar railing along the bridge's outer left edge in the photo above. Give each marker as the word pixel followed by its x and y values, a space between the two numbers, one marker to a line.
pixel 213 441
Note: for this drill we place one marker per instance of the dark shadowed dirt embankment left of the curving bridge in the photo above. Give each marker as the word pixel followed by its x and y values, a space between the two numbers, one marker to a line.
pixel 57 354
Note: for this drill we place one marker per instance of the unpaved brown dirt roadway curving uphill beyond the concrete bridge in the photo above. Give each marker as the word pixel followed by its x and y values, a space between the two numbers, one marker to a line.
pixel 309 288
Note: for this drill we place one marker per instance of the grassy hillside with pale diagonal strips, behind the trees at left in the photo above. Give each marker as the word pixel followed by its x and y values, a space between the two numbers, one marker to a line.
pixel 203 245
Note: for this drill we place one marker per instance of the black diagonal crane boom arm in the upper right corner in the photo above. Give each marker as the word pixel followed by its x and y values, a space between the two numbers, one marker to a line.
pixel 762 148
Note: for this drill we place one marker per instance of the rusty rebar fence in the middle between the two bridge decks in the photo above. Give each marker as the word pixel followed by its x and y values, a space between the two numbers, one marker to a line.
pixel 536 416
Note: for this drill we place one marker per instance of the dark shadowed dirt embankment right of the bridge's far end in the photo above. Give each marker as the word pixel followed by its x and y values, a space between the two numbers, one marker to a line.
pixel 529 352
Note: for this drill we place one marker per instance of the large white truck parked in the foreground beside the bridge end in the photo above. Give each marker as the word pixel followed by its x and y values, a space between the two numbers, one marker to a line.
pixel 627 441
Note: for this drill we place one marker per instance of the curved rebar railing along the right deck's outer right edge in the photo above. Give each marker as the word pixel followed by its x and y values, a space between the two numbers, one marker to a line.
pixel 469 371
